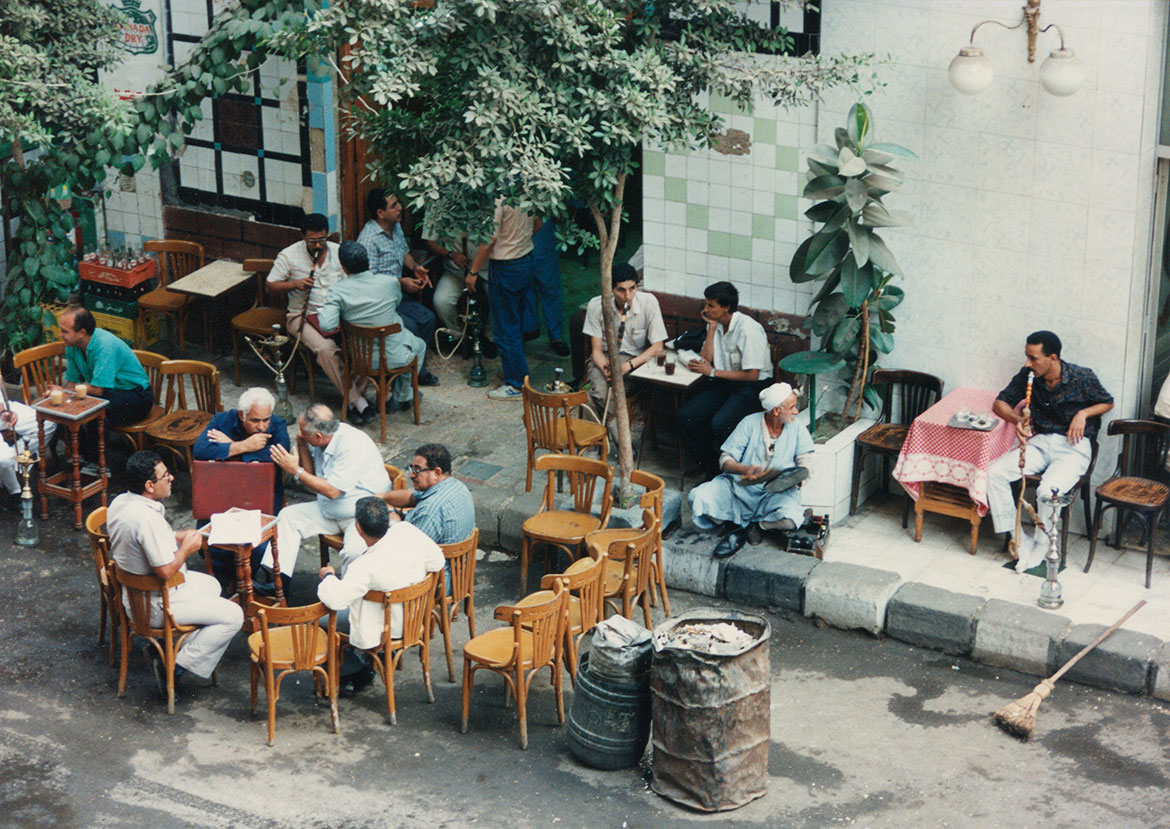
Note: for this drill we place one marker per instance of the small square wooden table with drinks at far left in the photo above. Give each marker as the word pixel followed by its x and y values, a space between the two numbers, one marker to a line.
pixel 71 483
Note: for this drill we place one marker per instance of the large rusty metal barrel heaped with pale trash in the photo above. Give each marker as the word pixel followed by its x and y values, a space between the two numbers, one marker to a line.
pixel 711 709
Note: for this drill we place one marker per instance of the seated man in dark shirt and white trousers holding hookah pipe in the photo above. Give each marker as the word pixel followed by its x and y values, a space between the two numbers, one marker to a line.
pixel 1068 404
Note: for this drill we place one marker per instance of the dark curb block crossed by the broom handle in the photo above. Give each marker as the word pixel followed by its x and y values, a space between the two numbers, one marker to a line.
pixel 1121 664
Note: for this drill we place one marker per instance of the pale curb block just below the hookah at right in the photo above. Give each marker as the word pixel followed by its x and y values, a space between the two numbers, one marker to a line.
pixel 1024 639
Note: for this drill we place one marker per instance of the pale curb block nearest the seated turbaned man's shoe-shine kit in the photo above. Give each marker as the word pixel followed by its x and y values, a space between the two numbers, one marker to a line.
pixel 850 596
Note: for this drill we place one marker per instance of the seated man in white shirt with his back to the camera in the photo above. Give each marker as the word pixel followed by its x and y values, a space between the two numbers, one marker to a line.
pixel 393 557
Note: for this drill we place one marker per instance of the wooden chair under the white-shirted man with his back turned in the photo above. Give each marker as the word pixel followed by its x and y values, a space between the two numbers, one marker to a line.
pixel 417 604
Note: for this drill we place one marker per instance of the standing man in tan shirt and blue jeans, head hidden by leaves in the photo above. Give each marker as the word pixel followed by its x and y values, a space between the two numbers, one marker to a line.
pixel 511 252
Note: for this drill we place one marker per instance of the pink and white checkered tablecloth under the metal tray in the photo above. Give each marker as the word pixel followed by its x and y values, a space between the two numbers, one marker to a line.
pixel 945 454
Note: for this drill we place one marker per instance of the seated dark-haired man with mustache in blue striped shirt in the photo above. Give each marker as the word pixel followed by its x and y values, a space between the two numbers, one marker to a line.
pixel 443 506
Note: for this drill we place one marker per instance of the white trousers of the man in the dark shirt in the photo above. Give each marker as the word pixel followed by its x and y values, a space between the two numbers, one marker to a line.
pixel 1059 465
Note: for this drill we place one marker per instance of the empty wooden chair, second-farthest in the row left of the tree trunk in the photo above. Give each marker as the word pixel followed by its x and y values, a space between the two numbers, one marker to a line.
pixel 567 529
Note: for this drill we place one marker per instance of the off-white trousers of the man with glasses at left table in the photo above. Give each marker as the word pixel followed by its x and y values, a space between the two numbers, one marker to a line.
pixel 198 602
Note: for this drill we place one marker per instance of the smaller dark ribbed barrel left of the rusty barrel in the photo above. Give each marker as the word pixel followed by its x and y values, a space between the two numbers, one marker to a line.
pixel 610 720
